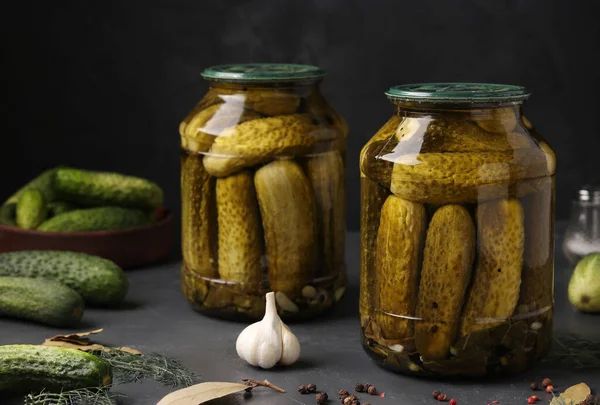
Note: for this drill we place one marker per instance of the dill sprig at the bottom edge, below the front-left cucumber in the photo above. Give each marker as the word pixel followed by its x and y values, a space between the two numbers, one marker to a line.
pixel 84 396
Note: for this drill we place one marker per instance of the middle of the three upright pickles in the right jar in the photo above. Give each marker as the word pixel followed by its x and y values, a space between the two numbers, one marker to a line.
pixel 445 275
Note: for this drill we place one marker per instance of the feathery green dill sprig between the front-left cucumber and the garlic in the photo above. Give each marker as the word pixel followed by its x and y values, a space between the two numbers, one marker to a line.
pixel 131 368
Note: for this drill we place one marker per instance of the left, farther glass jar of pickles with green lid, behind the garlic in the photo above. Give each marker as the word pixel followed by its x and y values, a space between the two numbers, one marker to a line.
pixel 262 179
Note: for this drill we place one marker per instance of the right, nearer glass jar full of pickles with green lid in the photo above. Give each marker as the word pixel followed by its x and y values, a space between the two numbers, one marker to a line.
pixel 457 218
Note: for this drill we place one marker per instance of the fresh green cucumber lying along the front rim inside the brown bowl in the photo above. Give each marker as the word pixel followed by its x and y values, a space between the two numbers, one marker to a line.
pixel 96 219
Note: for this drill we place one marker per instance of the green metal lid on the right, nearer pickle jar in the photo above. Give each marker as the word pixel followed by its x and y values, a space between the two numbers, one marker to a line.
pixel 457 93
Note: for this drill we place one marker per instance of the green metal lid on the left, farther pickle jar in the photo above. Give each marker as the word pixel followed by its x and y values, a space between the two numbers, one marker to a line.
pixel 263 72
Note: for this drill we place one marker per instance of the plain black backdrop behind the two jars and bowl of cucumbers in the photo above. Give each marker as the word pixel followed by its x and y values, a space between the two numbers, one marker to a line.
pixel 104 85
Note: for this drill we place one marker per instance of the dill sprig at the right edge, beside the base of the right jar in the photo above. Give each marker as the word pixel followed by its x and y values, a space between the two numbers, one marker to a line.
pixel 575 351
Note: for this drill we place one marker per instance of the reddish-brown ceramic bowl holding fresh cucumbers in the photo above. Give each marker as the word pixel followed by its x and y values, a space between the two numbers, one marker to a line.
pixel 132 247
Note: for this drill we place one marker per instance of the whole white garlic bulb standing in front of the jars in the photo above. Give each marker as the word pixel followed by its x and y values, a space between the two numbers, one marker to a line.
pixel 269 341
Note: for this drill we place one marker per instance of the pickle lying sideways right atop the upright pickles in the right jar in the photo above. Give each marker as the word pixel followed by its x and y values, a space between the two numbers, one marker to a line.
pixel 441 178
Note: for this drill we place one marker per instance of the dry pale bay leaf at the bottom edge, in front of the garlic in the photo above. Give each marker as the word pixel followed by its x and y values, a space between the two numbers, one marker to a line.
pixel 201 393
